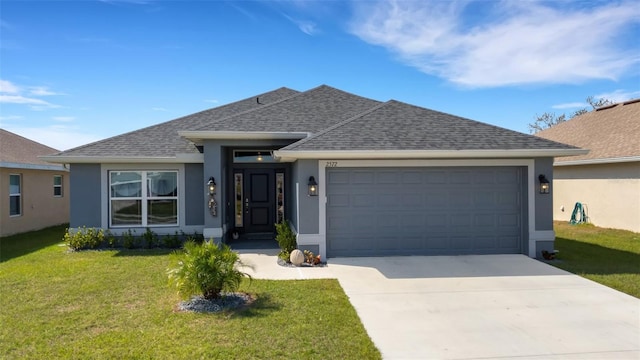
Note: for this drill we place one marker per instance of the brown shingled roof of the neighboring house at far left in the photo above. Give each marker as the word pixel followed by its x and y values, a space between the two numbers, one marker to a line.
pixel 17 149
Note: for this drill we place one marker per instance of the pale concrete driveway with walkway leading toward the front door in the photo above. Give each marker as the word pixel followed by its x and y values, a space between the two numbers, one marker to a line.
pixel 478 307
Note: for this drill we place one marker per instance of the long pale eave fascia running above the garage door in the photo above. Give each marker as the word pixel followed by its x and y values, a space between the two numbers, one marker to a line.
pixel 292 155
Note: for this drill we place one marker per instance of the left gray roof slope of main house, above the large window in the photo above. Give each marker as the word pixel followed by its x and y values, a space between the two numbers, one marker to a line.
pixel 162 140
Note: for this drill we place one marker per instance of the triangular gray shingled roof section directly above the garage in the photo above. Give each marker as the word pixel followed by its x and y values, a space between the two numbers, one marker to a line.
pixel 399 126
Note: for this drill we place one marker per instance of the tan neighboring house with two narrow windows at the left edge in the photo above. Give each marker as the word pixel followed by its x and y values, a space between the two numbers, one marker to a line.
pixel 33 192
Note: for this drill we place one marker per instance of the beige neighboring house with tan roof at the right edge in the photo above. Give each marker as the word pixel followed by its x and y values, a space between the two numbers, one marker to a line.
pixel 607 179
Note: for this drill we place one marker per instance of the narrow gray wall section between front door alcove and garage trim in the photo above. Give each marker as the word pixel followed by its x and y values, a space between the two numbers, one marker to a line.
pixel 309 220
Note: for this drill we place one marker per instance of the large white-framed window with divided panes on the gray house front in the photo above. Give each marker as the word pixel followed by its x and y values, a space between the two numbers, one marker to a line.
pixel 154 204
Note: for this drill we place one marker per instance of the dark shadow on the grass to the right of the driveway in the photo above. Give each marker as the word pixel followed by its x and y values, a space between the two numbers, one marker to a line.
pixel 581 257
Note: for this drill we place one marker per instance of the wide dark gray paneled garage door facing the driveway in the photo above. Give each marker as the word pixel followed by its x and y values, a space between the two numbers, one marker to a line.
pixel 425 211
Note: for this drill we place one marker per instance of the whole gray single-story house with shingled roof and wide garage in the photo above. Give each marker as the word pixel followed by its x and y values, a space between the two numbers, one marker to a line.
pixel 355 177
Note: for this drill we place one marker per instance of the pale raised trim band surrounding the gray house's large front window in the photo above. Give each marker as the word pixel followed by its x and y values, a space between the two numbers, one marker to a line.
pixel 105 192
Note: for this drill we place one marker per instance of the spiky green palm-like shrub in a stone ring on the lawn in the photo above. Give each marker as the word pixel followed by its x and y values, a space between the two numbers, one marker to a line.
pixel 206 269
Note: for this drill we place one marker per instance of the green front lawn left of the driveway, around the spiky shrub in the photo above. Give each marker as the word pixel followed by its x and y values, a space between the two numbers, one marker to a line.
pixel 117 304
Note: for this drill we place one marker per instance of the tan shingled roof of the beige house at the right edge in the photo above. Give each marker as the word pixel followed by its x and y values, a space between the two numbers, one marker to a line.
pixel 611 134
